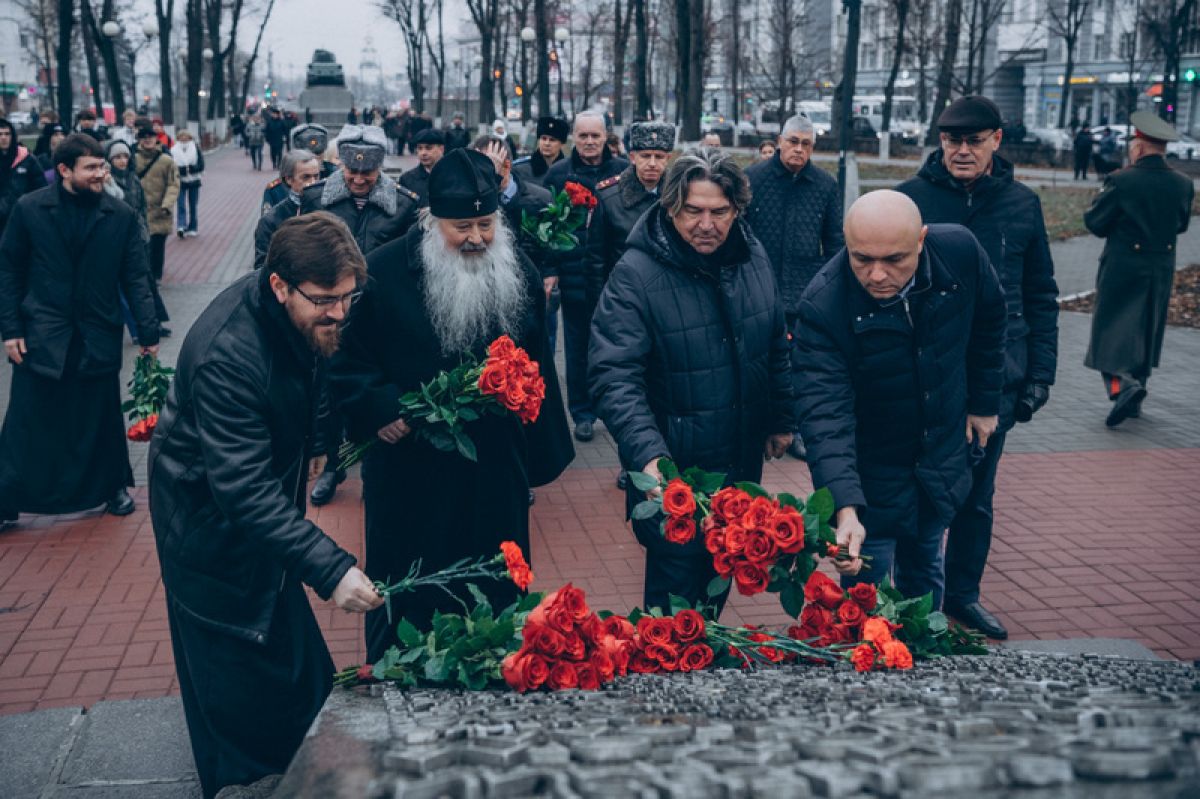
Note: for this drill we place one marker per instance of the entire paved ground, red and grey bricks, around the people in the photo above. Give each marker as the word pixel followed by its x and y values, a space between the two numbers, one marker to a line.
pixel 1095 533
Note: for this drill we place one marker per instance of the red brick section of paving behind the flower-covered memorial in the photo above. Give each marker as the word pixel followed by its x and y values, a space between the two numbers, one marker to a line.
pixel 1088 545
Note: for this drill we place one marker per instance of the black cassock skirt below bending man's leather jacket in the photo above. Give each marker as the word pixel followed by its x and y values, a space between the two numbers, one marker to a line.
pixel 249 706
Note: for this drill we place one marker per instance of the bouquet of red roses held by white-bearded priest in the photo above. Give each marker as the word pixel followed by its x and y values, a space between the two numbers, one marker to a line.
pixel 507 382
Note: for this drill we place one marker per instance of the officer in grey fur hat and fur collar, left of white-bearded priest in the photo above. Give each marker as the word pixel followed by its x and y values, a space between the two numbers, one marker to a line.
pixel 377 211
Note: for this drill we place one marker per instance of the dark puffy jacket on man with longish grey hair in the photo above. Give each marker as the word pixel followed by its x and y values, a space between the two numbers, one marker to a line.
pixel 689 356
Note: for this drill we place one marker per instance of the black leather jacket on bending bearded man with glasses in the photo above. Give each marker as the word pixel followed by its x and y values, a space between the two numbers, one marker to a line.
pixel 229 465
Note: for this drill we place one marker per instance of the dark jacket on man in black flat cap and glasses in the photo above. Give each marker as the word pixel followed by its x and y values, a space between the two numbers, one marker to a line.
pixel 1006 218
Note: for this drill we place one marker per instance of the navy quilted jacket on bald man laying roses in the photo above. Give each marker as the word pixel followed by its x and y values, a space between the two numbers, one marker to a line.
pixel 884 387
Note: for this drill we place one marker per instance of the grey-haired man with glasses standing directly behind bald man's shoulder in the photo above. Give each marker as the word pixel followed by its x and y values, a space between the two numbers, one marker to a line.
pixel 796 214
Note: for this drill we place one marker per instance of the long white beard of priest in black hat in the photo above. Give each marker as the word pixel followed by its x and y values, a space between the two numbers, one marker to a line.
pixel 472 297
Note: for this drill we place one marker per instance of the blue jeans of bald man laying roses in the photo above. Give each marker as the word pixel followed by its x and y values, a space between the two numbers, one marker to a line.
pixel 911 557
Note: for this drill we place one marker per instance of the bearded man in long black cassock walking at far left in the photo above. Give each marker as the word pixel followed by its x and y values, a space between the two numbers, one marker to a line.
pixel 68 254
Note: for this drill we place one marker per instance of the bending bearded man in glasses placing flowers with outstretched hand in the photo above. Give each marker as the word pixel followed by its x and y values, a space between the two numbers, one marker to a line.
pixel 229 465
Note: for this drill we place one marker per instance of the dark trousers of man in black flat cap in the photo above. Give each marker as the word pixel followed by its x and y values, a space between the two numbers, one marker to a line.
pixel 970 538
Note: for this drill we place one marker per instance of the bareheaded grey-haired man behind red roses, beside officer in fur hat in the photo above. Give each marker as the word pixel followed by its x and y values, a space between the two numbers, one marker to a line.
pixel 590 164
